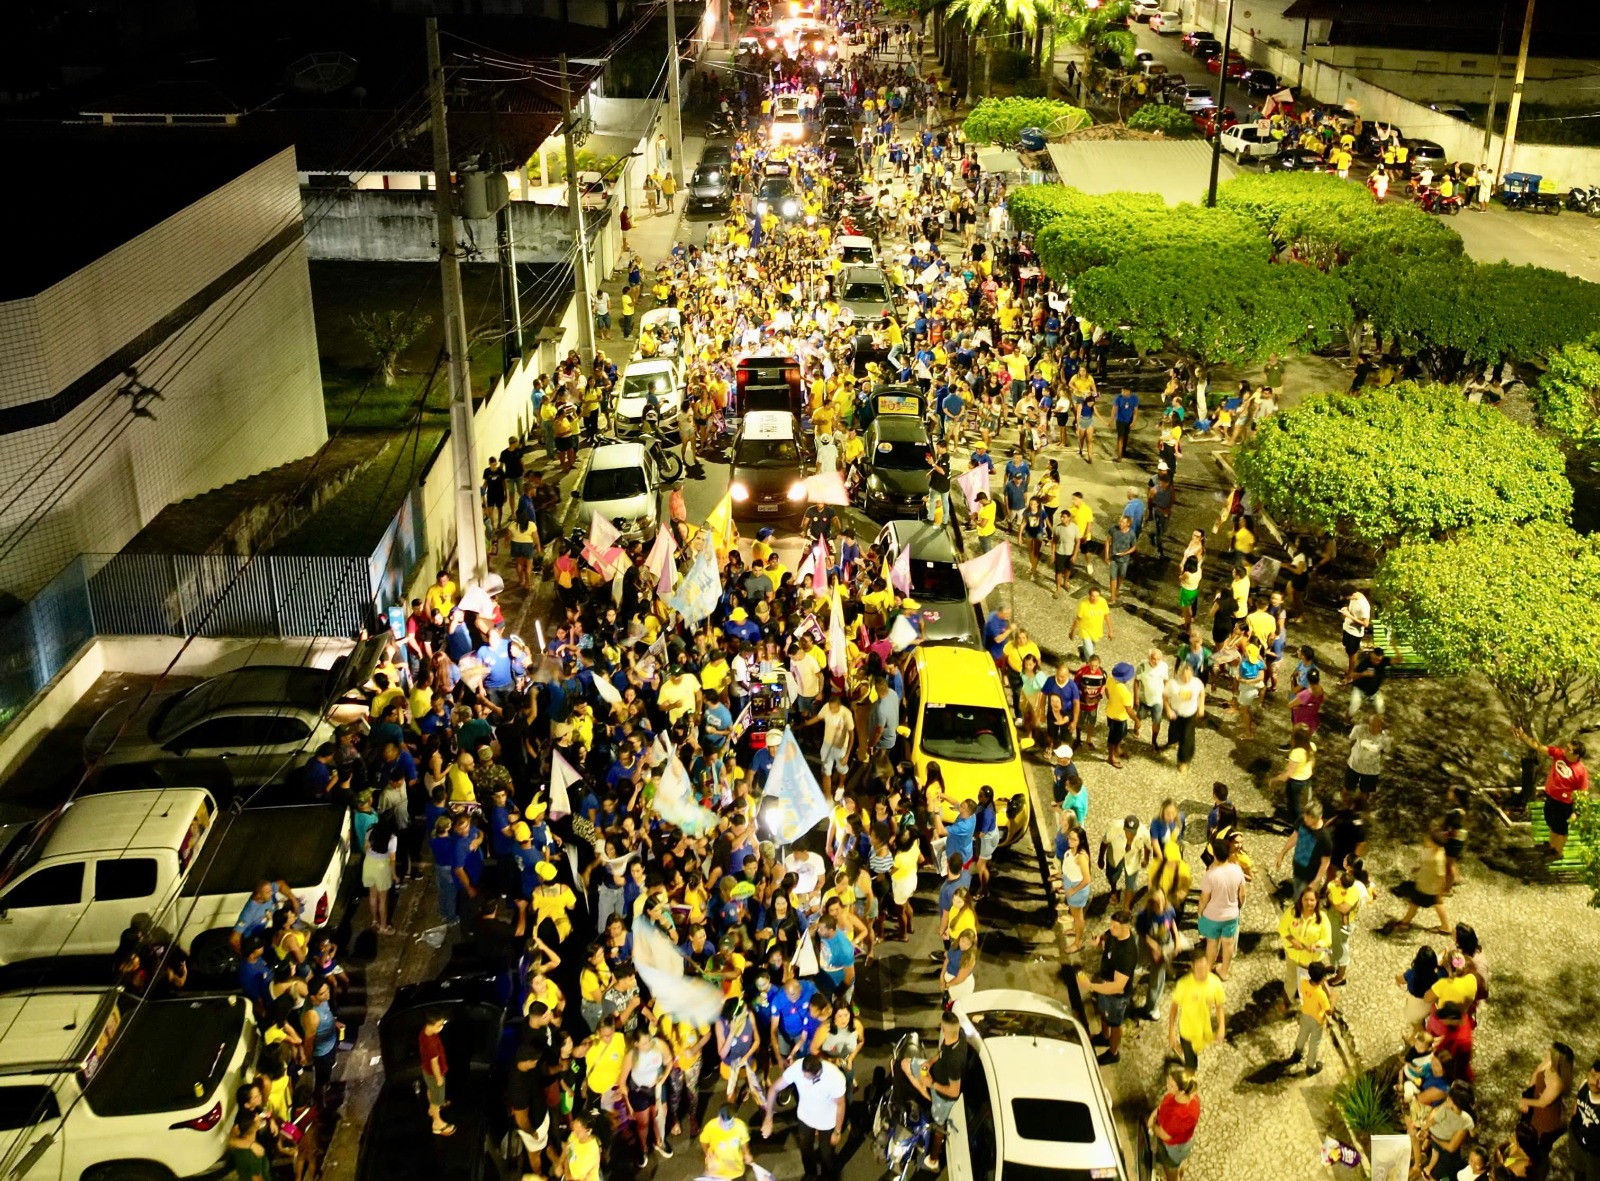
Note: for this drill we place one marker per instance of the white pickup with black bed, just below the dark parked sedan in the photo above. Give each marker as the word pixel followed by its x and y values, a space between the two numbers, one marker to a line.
pixel 71 884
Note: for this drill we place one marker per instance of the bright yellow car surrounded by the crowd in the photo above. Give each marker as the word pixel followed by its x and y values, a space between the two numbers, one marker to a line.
pixel 962 723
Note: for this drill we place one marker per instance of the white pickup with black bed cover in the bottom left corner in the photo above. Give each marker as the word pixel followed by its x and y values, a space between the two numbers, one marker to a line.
pixel 98 1086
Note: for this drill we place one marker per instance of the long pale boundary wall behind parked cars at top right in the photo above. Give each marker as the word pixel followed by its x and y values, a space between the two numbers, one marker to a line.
pixel 1561 166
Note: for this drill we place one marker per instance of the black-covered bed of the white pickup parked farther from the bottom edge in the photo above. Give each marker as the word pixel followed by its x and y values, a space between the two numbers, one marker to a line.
pixel 294 844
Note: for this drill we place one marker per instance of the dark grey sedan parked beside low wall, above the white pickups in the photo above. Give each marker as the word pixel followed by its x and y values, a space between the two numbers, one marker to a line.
pixel 263 719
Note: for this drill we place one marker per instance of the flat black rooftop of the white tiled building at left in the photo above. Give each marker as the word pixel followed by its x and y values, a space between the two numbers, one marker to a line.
pixel 146 182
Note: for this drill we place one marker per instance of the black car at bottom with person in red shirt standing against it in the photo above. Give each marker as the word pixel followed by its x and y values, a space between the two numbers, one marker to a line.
pixel 398 1143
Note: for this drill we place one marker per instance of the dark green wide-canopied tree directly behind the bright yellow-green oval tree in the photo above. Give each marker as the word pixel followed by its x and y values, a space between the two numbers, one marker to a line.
pixel 1220 306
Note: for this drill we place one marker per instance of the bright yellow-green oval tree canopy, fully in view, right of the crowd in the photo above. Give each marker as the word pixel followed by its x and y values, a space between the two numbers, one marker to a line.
pixel 1402 462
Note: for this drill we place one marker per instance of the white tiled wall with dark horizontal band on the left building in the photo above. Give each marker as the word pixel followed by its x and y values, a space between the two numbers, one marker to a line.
pixel 241 383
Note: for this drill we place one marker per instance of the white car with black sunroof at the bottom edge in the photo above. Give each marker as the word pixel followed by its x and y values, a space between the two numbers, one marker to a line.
pixel 1033 1100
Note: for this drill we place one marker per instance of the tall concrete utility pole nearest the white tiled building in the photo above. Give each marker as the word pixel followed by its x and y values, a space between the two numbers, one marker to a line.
pixel 470 519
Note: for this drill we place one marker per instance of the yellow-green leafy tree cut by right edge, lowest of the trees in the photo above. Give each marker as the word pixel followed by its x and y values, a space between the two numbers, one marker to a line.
pixel 1518 604
